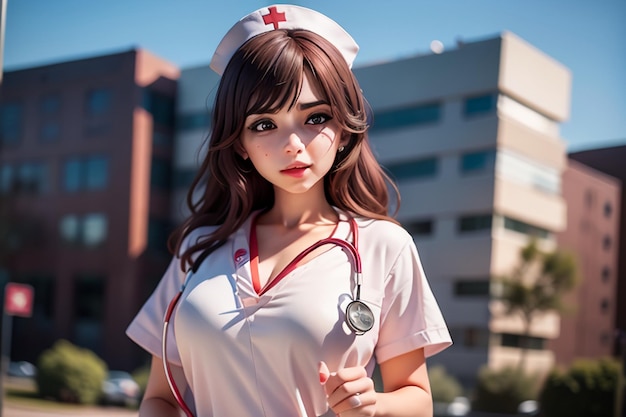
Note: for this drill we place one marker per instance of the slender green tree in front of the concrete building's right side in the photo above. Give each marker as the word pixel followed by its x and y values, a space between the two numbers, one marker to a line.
pixel 536 286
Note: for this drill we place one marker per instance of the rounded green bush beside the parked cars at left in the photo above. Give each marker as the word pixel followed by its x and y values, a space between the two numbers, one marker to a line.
pixel 68 373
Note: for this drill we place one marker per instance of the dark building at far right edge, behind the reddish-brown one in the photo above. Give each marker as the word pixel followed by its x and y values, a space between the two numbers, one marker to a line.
pixel 610 160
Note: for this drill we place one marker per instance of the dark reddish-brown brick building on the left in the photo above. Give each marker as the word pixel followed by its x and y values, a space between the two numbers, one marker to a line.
pixel 85 169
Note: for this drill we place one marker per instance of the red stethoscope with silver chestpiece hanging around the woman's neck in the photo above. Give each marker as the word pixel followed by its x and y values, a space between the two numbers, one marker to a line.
pixel 359 316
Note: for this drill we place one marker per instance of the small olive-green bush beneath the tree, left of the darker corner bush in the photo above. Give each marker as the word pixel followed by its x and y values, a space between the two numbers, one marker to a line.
pixel 501 391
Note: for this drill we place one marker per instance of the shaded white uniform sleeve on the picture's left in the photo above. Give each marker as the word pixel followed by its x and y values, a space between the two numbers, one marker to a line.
pixel 146 329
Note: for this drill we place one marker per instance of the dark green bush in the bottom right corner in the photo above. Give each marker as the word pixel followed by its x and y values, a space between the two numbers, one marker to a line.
pixel 587 389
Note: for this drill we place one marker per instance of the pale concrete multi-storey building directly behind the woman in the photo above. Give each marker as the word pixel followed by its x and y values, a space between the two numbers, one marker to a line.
pixel 472 137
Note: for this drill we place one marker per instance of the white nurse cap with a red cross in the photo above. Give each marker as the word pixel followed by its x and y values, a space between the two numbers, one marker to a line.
pixel 282 16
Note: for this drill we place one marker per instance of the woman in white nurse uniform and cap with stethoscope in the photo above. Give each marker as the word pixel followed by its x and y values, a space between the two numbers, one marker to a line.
pixel 273 319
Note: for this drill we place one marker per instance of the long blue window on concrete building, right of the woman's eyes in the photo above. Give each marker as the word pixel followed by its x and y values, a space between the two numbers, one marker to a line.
pixel 409 116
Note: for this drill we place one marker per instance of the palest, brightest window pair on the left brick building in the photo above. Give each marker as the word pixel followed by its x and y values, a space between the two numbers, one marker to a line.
pixel 88 231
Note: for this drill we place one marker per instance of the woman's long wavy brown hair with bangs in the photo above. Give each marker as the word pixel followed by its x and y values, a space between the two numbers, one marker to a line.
pixel 263 76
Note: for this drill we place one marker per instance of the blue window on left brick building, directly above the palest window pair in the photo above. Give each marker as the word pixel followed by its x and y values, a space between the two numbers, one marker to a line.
pixel 86 173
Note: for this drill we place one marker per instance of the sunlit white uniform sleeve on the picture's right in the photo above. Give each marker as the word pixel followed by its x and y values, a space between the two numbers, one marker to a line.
pixel 410 316
